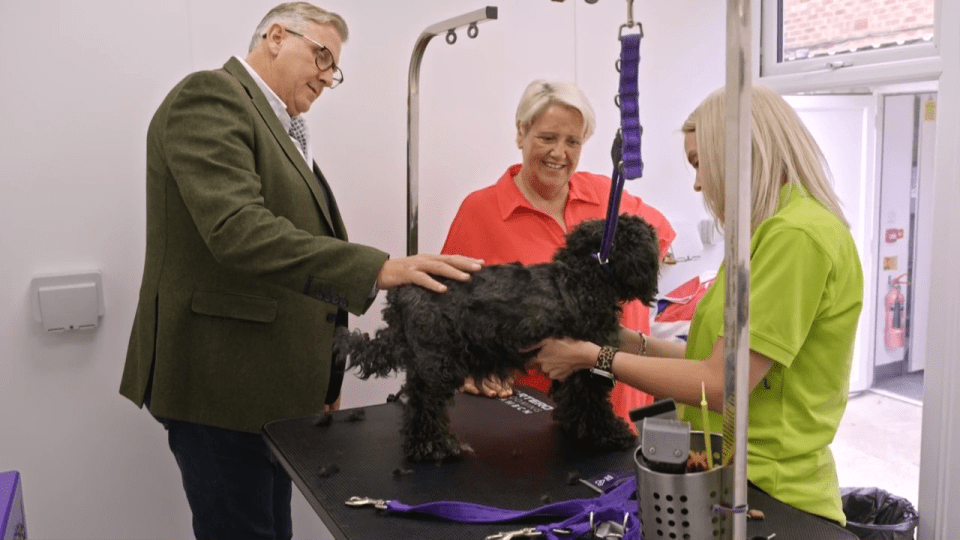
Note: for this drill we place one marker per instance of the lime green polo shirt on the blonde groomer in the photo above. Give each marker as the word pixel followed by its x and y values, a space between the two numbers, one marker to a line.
pixel 806 292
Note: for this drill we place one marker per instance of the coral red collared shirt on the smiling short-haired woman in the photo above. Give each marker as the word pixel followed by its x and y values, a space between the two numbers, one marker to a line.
pixel 498 224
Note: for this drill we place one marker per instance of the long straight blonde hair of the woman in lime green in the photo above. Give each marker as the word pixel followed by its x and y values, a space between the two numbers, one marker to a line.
pixel 782 152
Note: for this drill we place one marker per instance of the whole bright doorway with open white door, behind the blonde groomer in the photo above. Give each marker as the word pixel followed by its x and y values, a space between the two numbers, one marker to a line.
pixel 879 147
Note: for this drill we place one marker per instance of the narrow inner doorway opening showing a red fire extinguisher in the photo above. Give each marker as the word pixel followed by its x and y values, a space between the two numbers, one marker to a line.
pixel 904 242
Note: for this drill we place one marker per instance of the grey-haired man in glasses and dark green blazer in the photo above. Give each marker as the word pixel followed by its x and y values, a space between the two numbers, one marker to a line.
pixel 248 270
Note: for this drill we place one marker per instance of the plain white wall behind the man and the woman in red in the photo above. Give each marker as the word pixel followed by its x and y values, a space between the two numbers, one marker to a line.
pixel 82 79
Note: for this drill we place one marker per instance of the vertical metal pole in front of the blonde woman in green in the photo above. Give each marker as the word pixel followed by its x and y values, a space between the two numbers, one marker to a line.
pixel 737 175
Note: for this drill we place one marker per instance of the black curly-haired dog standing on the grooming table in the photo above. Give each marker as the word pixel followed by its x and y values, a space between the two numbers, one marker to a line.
pixel 477 328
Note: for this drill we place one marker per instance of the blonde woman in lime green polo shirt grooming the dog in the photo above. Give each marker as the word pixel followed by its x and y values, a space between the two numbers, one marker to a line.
pixel 806 292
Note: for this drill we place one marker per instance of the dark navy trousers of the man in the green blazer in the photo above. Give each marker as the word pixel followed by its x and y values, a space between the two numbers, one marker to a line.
pixel 234 487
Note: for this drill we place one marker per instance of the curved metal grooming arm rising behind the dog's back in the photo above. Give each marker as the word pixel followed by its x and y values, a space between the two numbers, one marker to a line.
pixel 470 20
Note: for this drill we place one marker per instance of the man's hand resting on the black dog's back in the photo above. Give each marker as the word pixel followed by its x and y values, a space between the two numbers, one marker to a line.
pixel 419 269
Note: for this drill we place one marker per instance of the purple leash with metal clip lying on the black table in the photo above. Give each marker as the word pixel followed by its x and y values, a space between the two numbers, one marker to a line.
pixel 617 505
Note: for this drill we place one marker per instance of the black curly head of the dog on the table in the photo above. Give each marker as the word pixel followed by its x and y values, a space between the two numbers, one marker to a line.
pixel 634 258
